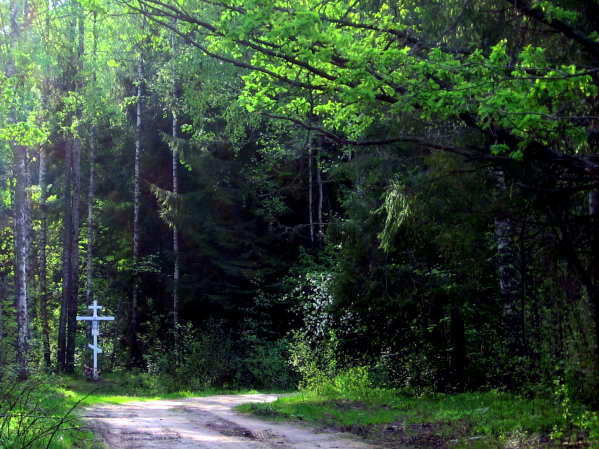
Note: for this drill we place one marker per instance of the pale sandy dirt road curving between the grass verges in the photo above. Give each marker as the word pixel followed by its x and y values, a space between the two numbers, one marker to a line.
pixel 205 423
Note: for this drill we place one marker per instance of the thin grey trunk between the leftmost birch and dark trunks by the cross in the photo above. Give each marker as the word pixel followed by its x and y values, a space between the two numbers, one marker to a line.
pixel 43 268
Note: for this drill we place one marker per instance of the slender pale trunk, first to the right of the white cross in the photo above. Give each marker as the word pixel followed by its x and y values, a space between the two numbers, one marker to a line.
pixel 133 325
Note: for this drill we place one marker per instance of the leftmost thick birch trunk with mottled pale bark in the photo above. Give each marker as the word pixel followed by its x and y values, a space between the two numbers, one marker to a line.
pixel 21 269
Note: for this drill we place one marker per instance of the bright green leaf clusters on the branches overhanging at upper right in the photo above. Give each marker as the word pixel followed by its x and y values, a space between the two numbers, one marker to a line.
pixel 344 60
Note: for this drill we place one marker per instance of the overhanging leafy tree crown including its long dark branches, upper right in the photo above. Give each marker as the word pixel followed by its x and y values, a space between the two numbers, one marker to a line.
pixel 348 68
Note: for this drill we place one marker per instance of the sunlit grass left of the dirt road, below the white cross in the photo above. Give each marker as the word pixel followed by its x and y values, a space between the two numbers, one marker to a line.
pixel 43 413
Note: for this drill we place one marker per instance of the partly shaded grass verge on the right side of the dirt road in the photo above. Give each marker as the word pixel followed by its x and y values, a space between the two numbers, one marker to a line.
pixel 481 420
